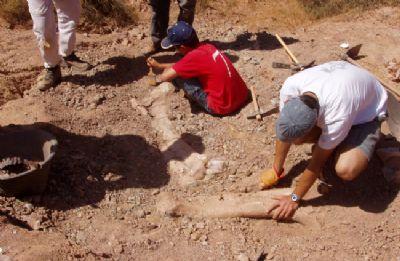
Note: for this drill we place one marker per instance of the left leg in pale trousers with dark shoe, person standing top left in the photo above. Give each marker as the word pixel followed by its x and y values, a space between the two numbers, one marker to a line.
pixel 44 27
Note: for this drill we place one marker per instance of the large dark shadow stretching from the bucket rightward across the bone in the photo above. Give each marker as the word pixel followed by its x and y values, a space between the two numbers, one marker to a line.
pixel 86 167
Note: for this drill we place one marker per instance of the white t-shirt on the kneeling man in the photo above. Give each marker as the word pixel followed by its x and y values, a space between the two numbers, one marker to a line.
pixel 347 95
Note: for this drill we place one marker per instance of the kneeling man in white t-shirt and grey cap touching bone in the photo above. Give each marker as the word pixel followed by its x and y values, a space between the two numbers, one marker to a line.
pixel 339 107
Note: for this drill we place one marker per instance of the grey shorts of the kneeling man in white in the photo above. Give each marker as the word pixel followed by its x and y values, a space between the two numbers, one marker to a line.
pixel 364 136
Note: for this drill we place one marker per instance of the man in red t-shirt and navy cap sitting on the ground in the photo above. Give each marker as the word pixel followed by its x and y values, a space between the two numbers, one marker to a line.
pixel 206 74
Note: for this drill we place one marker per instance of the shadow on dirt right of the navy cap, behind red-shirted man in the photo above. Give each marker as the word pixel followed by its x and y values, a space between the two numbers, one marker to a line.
pixel 256 41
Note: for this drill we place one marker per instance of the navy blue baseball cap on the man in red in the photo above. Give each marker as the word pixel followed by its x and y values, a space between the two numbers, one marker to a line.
pixel 178 34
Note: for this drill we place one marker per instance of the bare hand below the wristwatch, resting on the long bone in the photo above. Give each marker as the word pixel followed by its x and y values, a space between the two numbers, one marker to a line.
pixel 283 208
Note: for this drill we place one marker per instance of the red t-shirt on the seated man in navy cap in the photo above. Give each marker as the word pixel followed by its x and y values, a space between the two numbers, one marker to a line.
pixel 225 89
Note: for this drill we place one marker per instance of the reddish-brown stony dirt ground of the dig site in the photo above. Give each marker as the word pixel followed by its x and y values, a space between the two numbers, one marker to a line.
pixel 117 155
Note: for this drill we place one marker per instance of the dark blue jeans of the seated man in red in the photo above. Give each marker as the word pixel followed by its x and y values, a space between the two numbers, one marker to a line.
pixel 194 91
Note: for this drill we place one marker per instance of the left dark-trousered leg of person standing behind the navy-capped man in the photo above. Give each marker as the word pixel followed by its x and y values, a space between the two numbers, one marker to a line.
pixel 159 22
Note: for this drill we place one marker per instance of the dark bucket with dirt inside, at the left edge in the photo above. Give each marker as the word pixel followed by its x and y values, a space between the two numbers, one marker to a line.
pixel 30 144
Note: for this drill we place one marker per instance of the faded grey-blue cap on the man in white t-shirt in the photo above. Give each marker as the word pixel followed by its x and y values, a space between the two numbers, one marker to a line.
pixel 295 120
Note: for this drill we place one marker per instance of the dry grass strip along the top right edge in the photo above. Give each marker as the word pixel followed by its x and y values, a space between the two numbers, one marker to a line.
pixel 288 13
